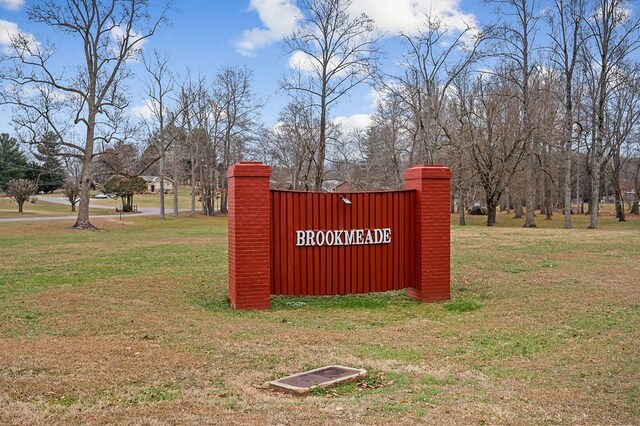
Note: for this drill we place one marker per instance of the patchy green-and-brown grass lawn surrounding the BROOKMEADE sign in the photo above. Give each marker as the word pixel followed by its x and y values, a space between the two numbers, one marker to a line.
pixel 131 325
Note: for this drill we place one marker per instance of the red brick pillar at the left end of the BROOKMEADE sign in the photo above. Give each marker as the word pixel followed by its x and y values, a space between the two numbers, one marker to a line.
pixel 249 235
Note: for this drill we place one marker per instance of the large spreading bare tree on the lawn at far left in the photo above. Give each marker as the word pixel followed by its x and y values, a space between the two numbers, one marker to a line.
pixel 110 33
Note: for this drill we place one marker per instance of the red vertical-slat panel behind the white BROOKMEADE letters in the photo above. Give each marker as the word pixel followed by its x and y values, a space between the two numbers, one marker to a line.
pixel 345 269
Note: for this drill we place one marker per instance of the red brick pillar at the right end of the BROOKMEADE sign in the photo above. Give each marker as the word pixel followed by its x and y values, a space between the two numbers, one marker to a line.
pixel 433 254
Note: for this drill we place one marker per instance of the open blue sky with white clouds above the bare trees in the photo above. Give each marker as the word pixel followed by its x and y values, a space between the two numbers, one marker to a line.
pixel 207 34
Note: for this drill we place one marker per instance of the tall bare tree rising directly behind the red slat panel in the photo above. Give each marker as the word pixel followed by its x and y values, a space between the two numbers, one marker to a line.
pixel 333 52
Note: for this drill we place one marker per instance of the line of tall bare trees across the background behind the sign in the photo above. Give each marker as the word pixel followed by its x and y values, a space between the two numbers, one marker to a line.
pixel 535 112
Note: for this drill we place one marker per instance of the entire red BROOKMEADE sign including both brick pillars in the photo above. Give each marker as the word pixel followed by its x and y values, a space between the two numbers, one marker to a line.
pixel 309 243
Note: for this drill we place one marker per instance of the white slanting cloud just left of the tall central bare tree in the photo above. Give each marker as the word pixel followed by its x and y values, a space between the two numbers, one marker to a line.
pixel 280 18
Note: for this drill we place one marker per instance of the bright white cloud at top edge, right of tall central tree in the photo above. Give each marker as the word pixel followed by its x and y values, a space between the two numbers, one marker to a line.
pixel 395 16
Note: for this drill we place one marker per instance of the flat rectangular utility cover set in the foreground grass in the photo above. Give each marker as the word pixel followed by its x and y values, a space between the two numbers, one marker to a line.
pixel 331 375
